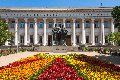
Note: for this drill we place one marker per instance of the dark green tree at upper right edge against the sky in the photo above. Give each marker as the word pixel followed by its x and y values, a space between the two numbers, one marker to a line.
pixel 116 17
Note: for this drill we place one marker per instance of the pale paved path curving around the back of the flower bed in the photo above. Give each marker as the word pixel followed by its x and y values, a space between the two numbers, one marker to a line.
pixel 5 60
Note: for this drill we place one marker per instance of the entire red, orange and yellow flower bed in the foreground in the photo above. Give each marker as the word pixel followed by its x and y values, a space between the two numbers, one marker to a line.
pixel 73 66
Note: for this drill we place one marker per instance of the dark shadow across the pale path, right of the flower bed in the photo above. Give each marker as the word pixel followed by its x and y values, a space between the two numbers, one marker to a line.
pixel 109 58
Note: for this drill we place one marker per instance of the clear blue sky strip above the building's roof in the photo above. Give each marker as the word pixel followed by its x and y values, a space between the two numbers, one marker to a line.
pixel 59 3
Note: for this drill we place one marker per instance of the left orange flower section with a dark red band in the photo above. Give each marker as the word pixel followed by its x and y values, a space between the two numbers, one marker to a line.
pixel 23 69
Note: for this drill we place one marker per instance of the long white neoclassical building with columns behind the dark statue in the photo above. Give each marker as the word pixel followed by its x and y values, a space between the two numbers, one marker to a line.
pixel 34 25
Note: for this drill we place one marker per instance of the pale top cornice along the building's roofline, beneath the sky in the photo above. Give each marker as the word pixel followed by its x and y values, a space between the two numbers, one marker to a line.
pixel 32 9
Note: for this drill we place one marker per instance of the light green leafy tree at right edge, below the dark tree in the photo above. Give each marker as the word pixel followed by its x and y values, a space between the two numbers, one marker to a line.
pixel 114 37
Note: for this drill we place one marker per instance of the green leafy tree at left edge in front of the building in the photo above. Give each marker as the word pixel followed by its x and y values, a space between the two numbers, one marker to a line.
pixel 5 35
